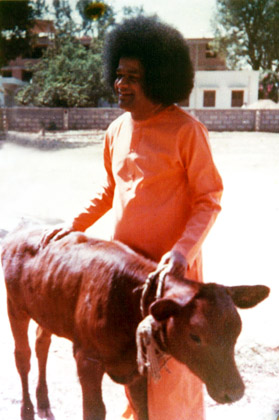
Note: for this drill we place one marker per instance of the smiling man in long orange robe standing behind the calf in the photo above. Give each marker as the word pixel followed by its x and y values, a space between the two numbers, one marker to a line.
pixel 162 184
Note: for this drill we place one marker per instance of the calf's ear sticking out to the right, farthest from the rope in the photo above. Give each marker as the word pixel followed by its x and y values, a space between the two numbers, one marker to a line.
pixel 248 296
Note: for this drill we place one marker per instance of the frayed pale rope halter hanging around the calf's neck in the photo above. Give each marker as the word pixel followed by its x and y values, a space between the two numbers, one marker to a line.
pixel 150 357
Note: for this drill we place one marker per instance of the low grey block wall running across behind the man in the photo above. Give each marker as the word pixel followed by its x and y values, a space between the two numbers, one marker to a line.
pixel 25 119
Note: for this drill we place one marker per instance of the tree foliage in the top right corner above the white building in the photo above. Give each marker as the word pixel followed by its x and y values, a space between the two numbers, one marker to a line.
pixel 247 32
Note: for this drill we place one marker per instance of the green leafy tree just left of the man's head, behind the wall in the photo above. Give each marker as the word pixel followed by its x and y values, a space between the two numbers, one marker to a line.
pixel 69 74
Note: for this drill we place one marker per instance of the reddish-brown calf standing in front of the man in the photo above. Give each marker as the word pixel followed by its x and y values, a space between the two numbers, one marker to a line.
pixel 89 290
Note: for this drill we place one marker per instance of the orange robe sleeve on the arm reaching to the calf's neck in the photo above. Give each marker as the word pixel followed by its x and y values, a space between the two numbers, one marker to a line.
pixel 205 186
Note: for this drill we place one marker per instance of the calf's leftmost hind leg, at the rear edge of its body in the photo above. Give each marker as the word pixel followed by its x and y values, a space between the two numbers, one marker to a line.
pixel 19 324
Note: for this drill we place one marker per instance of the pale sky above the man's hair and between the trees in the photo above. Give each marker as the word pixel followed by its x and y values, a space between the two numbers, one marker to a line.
pixel 191 17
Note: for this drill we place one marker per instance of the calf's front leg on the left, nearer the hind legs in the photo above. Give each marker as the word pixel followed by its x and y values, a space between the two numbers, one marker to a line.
pixel 90 374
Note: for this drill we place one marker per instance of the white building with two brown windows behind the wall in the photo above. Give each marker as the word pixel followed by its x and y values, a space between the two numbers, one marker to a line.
pixel 224 89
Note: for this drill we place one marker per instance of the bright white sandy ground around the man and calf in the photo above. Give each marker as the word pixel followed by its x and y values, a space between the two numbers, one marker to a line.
pixel 242 248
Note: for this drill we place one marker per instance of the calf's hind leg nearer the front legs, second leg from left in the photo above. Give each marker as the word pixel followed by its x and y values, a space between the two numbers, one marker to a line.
pixel 43 340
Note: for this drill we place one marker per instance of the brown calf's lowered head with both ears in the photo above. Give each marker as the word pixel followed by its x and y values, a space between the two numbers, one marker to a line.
pixel 201 326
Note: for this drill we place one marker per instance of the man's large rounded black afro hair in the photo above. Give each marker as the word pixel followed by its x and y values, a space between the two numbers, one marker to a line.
pixel 163 53
